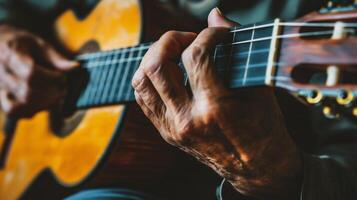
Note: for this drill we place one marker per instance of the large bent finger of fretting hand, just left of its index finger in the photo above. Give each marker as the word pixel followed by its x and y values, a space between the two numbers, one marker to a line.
pixel 160 66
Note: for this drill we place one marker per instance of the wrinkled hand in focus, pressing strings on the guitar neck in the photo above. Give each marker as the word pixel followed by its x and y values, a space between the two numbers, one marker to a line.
pixel 241 135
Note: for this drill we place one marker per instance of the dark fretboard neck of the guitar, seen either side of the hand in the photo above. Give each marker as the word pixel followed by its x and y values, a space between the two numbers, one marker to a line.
pixel 247 58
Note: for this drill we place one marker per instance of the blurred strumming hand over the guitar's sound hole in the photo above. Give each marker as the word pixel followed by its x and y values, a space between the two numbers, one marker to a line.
pixel 31 73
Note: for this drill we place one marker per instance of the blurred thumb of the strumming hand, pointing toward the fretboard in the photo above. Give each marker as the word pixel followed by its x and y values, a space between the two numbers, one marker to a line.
pixel 59 61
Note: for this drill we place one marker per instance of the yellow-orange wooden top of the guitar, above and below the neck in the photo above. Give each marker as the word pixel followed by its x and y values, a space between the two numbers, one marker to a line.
pixel 112 24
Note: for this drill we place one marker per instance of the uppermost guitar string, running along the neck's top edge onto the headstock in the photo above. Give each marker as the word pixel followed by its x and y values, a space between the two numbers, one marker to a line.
pixel 347 25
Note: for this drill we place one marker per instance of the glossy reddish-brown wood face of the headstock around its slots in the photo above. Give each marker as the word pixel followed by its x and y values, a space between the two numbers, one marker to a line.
pixel 316 52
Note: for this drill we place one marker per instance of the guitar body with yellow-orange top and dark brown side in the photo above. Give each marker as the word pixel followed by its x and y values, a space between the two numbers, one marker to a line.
pixel 95 146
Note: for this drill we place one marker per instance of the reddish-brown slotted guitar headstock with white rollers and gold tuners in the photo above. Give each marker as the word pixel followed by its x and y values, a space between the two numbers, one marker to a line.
pixel 318 60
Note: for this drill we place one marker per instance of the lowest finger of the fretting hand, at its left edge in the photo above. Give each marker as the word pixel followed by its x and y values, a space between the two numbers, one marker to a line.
pixel 144 88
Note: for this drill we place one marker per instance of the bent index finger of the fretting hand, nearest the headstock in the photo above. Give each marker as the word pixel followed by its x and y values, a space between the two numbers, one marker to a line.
pixel 198 63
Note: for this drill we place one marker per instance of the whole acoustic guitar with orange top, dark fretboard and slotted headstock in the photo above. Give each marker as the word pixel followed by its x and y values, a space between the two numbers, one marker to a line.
pixel 285 55
